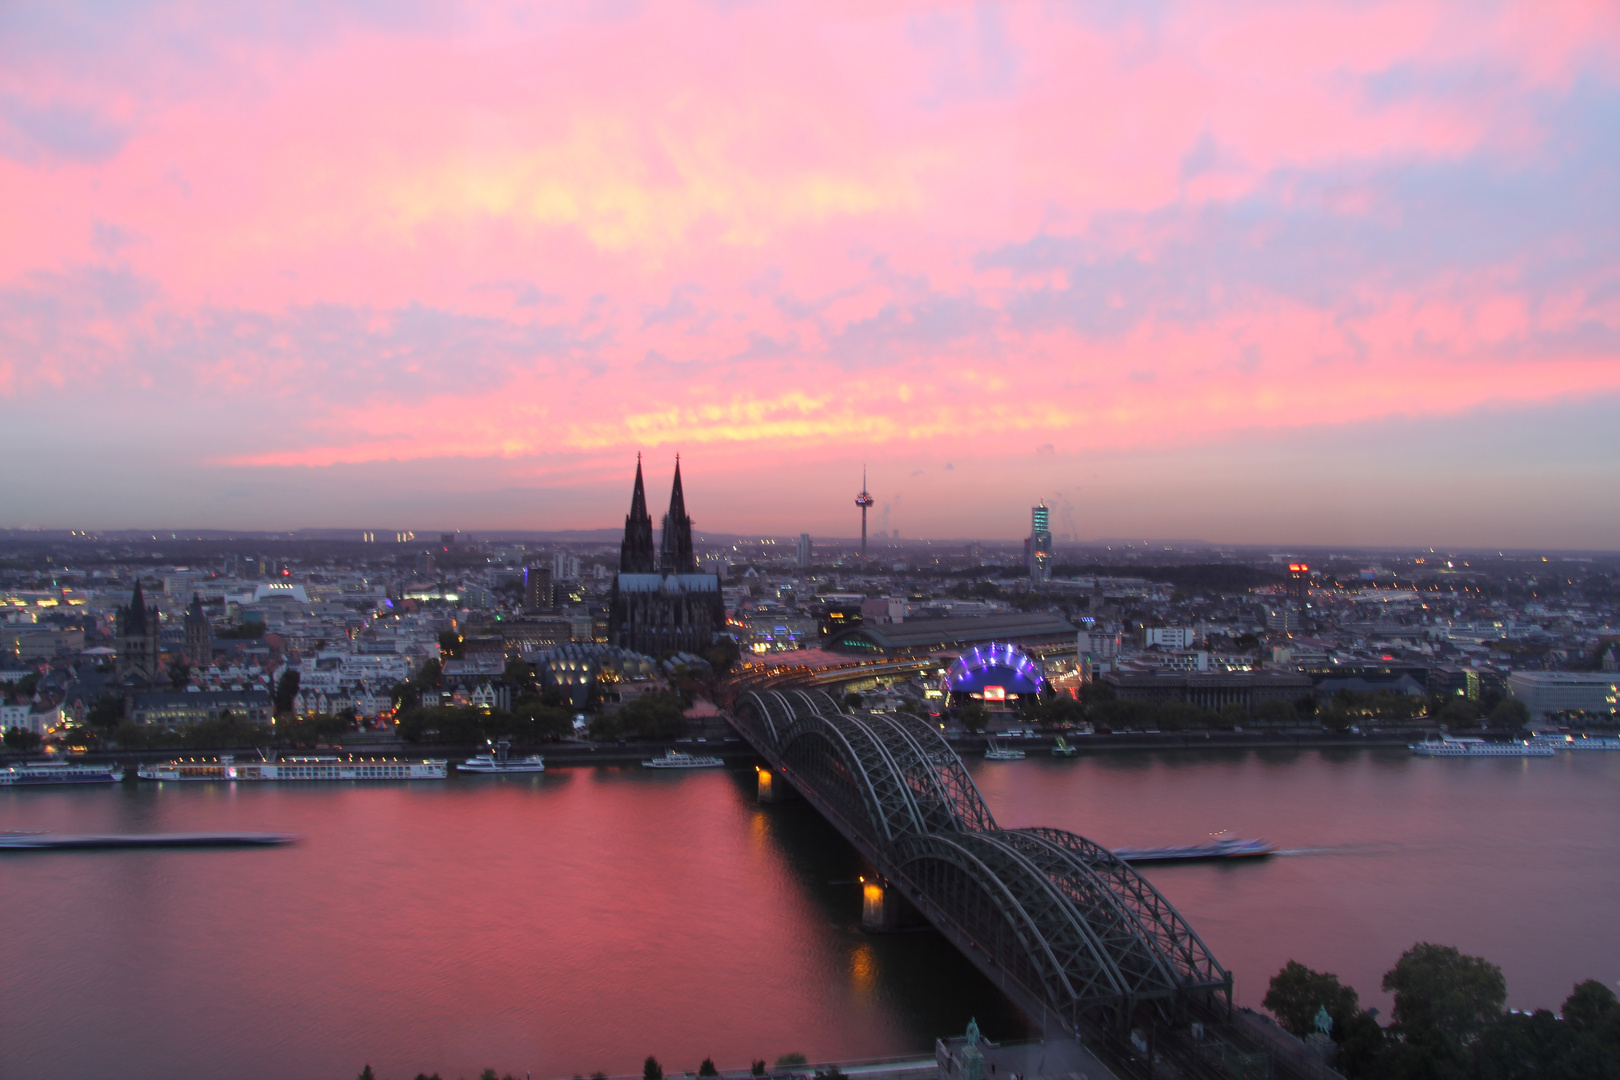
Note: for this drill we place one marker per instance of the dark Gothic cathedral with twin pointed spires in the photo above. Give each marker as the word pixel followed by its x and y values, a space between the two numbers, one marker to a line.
pixel 660 602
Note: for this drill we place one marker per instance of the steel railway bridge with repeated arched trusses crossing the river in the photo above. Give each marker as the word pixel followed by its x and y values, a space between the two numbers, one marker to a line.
pixel 1059 922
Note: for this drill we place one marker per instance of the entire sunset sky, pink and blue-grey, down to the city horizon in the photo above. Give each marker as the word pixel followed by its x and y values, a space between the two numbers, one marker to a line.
pixel 1341 273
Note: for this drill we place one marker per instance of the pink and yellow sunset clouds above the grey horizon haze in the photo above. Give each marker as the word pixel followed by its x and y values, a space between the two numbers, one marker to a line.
pixel 782 227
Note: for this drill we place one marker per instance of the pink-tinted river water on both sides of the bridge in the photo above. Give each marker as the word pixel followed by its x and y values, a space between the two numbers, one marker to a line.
pixel 586 919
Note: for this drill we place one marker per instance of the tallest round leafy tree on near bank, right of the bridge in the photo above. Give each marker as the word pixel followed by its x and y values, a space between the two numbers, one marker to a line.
pixel 1443 990
